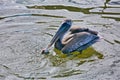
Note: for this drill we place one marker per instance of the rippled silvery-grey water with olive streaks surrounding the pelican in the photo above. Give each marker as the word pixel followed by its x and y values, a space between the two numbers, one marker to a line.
pixel 27 26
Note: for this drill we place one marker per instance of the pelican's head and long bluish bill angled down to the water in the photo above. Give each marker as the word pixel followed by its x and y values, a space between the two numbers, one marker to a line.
pixel 61 31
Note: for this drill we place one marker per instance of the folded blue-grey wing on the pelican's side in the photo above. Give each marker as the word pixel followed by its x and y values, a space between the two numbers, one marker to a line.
pixel 79 40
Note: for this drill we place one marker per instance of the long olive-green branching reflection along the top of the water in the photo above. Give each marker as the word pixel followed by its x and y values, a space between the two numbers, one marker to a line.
pixel 104 10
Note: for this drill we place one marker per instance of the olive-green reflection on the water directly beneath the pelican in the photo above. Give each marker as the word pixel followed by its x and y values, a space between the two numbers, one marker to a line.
pixel 61 58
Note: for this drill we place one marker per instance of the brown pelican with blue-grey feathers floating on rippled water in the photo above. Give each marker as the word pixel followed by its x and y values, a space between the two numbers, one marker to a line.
pixel 78 38
